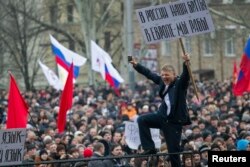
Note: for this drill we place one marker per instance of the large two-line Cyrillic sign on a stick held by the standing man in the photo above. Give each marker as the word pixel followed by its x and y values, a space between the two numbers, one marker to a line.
pixel 174 20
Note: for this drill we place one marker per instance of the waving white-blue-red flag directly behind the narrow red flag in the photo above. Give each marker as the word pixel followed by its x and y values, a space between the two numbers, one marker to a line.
pixel 64 57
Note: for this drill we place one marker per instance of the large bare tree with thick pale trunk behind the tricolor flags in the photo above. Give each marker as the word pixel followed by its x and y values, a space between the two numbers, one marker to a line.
pixel 96 19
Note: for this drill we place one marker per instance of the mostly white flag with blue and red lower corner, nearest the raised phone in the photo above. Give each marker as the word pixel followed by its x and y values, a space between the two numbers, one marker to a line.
pixel 102 62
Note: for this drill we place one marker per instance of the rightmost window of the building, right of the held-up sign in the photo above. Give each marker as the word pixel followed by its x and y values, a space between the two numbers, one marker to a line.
pixel 229 43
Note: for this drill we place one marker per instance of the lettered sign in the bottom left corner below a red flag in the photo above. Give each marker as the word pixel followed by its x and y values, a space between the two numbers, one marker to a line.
pixel 12 146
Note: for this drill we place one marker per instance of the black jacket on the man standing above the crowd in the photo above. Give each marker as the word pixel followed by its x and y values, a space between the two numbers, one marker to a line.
pixel 177 91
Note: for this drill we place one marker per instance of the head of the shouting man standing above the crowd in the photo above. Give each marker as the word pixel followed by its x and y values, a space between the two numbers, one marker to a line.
pixel 167 74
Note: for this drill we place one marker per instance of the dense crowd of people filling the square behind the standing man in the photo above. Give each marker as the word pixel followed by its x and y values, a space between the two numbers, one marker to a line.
pixel 95 124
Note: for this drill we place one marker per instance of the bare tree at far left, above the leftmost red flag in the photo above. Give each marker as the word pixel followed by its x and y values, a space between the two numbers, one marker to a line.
pixel 20 37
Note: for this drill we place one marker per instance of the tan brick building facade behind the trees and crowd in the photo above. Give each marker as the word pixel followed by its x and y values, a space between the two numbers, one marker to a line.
pixel 212 54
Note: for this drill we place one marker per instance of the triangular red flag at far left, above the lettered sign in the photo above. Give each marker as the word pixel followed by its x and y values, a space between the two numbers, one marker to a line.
pixel 17 108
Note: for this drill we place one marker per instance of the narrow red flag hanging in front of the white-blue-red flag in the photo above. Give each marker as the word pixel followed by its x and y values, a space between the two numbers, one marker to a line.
pixel 66 101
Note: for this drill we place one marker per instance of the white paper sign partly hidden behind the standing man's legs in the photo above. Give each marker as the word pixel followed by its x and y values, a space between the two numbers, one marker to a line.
pixel 132 137
